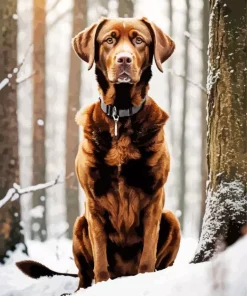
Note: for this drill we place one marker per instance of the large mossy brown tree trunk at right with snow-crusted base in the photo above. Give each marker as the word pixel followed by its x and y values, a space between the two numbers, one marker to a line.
pixel 226 206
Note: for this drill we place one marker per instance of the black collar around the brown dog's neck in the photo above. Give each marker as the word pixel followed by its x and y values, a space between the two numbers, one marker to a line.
pixel 112 111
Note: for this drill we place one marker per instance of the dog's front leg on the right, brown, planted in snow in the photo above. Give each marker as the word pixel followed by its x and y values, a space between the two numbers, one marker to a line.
pixel 151 223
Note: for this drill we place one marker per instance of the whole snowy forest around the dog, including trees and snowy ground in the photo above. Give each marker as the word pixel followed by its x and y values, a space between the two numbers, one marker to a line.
pixel 203 88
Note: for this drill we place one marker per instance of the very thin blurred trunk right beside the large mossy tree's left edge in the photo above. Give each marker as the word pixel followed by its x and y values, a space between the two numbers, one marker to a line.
pixel 205 18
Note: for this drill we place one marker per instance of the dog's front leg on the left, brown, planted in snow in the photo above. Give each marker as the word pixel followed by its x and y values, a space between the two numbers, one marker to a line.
pixel 99 247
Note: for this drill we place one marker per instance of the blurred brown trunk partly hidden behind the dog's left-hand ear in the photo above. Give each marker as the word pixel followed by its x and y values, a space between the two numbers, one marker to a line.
pixel 72 133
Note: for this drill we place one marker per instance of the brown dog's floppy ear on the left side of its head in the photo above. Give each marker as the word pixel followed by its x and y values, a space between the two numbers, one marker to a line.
pixel 84 42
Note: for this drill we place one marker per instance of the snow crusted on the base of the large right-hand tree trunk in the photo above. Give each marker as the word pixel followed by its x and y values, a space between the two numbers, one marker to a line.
pixel 226 204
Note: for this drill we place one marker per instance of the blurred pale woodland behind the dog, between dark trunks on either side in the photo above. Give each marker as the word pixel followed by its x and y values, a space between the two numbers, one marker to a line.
pixel 51 84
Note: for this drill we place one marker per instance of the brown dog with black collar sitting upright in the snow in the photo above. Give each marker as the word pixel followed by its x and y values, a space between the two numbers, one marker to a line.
pixel 123 161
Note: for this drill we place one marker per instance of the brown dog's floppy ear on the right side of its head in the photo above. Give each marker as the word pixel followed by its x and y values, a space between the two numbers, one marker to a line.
pixel 163 44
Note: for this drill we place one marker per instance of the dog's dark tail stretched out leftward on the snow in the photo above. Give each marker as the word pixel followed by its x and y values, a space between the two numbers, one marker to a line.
pixel 36 270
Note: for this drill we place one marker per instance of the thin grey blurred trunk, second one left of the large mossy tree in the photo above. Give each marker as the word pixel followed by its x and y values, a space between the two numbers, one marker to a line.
pixel 182 187
